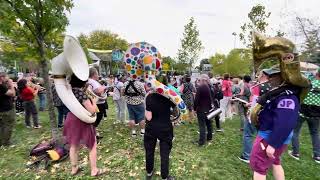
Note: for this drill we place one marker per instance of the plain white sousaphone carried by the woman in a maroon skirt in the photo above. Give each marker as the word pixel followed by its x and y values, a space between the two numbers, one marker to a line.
pixel 71 61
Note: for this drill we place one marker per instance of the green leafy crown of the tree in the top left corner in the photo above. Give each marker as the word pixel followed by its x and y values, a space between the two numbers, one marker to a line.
pixel 28 24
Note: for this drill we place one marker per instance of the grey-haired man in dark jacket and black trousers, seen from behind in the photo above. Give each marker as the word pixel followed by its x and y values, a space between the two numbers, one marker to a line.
pixel 202 106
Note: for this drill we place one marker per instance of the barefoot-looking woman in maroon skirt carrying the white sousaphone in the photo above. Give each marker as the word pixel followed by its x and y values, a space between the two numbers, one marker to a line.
pixel 77 132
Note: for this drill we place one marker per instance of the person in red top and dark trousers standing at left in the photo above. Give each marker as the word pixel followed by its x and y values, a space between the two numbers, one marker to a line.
pixel 28 95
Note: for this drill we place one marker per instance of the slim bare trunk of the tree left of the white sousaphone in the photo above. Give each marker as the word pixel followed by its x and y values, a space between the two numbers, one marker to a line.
pixel 47 84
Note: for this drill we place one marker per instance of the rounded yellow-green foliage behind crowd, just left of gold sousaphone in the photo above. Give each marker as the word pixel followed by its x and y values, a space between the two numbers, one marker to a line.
pixel 236 63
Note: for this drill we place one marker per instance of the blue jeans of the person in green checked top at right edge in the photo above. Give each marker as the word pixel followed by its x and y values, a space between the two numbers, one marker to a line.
pixel 313 124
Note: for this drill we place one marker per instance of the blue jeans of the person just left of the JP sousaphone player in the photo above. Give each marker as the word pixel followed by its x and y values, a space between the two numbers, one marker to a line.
pixel 248 133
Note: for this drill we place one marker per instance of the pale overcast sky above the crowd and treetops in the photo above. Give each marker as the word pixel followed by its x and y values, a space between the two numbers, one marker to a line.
pixel 161 22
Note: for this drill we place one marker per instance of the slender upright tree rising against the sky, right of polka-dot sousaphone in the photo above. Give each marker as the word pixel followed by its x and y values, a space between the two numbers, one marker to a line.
pixel 190 46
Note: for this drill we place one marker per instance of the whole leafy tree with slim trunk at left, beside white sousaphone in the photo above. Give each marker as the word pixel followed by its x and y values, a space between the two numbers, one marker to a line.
pixel 38 22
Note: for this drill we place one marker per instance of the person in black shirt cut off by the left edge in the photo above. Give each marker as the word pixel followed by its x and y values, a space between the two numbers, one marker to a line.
pixel 7 112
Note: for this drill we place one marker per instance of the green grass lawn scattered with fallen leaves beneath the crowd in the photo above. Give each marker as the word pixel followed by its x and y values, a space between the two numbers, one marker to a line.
pixel 124 156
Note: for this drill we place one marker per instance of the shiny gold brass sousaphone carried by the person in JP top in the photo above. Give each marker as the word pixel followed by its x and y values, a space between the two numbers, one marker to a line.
pixel 284 51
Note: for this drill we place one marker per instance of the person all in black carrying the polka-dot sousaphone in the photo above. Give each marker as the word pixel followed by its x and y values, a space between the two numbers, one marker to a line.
pixel 158 126
